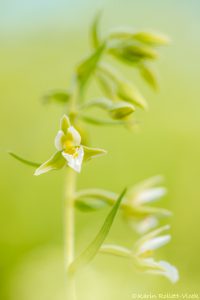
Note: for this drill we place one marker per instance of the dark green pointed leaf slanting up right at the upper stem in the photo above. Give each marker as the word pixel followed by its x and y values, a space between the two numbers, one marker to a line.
pixel 87 67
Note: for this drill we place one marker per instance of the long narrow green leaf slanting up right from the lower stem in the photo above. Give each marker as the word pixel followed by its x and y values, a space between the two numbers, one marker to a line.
pixel 94 247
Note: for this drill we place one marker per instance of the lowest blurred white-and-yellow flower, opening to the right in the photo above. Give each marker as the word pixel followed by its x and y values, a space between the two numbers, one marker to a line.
pixel 144 250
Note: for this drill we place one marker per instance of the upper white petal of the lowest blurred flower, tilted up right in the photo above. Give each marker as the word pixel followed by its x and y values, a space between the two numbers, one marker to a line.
pixel 154 243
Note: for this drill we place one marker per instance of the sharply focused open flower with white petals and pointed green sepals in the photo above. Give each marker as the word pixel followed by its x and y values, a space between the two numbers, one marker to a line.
pixel 70 150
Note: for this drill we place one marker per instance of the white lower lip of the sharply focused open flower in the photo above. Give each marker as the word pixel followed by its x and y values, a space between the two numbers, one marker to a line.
pixel 75 160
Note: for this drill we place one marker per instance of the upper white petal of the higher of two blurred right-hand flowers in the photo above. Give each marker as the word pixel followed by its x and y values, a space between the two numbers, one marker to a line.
pixel 150 195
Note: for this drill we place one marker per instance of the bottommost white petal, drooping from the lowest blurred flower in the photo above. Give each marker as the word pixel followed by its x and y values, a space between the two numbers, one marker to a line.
pixel 162 268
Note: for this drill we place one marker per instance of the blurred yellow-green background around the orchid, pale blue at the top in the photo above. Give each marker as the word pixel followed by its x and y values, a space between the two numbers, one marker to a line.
pixel 41 42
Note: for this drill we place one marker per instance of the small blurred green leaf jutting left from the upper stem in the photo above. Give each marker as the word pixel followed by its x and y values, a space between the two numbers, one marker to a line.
pixel 58 96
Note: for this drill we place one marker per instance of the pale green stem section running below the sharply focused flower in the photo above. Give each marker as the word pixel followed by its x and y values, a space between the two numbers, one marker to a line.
pixel 70 186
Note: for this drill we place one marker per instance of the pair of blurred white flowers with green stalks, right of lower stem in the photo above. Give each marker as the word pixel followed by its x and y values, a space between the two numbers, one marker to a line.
pixel 143 217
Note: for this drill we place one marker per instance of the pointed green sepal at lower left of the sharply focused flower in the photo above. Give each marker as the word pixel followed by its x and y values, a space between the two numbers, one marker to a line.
pixel 56 162
